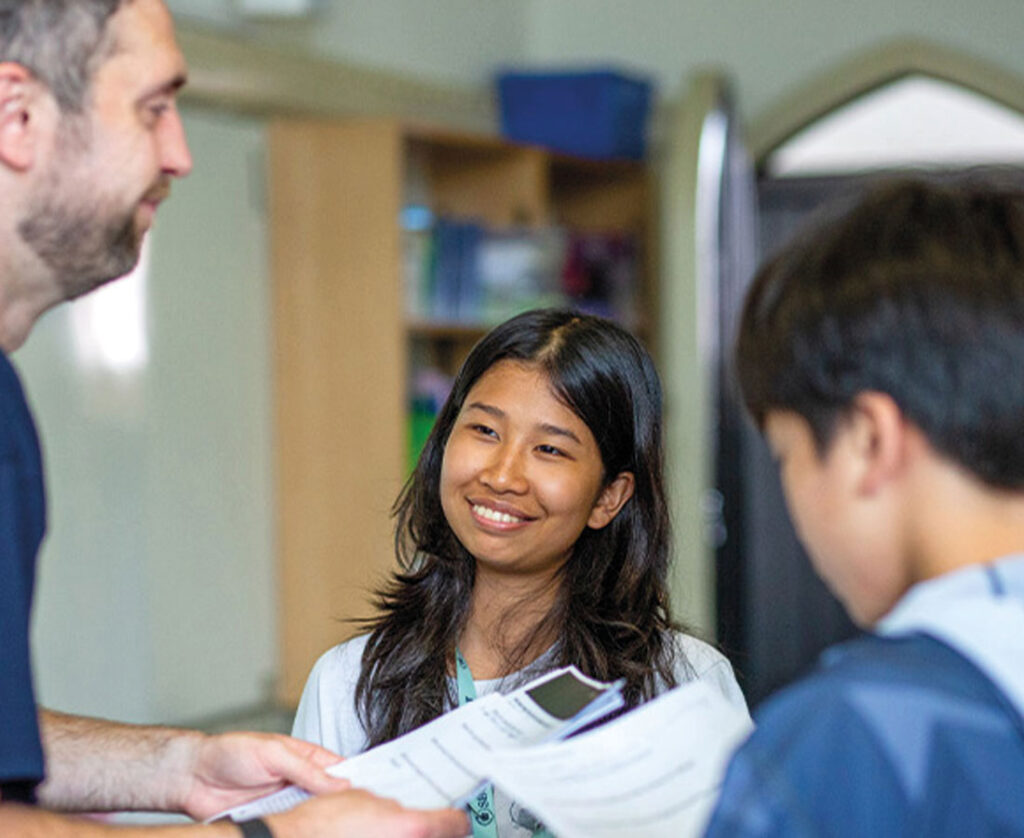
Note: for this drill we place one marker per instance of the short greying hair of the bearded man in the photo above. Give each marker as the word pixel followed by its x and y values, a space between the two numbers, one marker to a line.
pixel 61 43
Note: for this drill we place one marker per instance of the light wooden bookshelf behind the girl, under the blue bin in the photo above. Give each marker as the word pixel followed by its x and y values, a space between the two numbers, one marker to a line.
pixel 345 344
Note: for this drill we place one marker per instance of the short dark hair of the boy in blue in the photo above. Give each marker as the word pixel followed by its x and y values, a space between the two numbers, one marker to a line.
pixel 917 292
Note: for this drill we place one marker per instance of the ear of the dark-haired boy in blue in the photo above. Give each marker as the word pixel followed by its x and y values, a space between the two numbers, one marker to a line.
pixel 880 435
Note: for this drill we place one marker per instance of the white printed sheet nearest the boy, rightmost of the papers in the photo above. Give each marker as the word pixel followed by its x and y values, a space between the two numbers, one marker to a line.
pixel 654 773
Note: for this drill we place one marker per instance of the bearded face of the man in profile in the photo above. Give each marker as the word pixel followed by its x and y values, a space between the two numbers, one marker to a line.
pixel 110 167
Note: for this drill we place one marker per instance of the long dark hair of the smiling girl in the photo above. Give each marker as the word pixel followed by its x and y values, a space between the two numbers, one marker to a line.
pixel 612 617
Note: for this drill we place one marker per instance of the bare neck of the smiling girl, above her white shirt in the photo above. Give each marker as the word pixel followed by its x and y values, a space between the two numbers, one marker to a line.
pixel 504 613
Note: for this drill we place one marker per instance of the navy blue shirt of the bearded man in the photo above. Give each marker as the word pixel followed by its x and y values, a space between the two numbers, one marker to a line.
pixel 23 522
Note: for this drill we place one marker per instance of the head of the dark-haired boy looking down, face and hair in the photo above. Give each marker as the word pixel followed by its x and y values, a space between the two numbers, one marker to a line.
pixel 898 327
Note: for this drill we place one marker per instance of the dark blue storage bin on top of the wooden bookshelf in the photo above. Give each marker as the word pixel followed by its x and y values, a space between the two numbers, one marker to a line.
pixel 599 114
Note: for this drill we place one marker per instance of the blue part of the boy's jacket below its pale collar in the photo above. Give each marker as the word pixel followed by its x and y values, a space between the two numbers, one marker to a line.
pixel 890 737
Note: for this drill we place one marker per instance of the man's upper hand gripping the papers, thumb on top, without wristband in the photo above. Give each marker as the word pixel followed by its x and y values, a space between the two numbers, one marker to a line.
pixel 233 769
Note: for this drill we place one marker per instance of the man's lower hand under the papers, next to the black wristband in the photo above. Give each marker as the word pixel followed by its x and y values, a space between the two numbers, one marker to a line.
pixel 358 814
